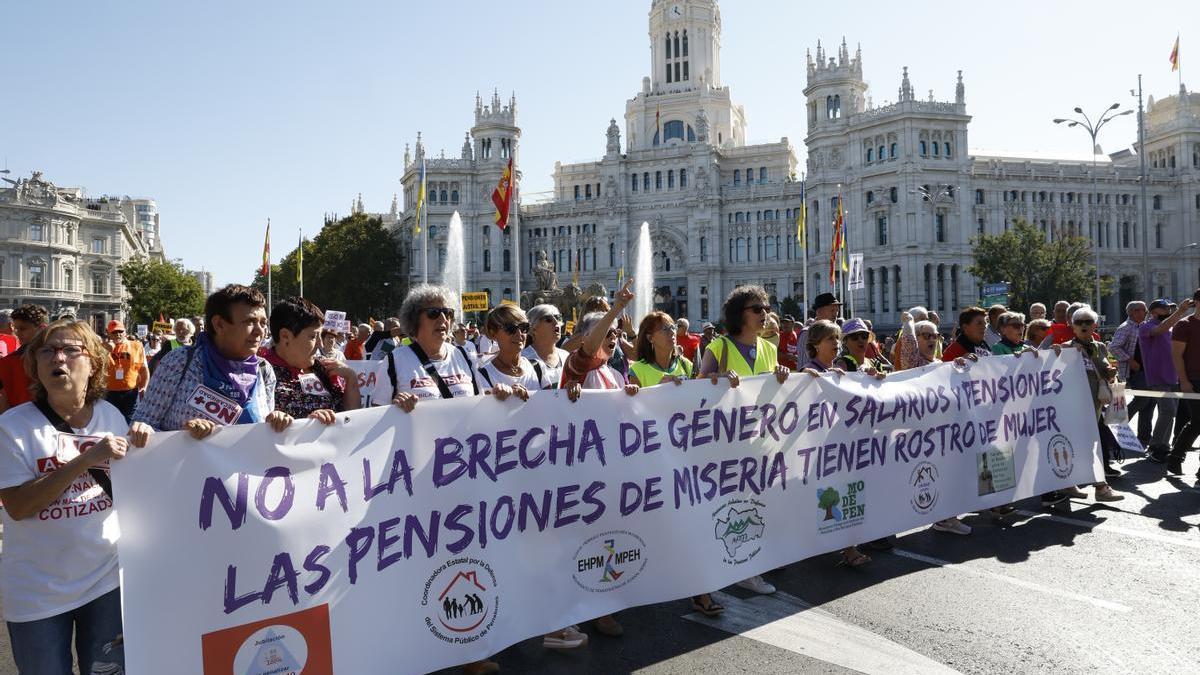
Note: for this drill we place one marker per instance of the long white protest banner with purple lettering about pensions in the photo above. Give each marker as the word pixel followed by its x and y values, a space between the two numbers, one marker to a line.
pixel 409 542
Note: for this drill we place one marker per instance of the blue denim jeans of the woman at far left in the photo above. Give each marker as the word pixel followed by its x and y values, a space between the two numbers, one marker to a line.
pixel 44 647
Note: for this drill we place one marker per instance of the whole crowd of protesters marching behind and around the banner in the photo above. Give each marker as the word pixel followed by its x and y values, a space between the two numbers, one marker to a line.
pixel 106 393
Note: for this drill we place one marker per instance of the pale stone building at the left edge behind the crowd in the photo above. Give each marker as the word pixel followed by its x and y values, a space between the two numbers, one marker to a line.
pixel 62 250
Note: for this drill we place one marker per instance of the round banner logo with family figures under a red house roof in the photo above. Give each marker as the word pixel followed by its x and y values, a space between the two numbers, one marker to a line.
pixel 465 601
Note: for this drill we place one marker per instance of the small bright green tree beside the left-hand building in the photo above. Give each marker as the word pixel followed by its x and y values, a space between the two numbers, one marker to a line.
pixel 160 289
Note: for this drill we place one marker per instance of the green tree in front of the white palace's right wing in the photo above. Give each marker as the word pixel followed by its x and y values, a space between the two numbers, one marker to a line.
pixel 1039 268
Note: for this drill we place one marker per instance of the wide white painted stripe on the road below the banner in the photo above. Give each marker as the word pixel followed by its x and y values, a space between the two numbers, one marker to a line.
pixel 790 624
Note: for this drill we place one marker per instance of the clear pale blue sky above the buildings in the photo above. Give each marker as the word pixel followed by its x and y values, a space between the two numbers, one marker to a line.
pixel 232 112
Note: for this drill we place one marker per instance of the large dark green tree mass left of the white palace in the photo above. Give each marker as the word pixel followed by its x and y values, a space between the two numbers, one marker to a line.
pixel 355 265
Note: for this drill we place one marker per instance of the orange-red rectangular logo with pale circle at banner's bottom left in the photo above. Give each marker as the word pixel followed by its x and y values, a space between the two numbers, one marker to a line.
pixel 290 644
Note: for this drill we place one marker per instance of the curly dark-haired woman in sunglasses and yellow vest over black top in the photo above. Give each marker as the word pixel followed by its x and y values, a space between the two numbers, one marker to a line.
pixel 743 354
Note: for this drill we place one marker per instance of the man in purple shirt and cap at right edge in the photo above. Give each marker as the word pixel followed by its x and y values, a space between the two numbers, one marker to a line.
pixel 1159 365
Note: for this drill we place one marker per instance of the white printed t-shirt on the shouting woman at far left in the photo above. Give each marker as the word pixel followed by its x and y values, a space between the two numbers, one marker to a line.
pixel 65 557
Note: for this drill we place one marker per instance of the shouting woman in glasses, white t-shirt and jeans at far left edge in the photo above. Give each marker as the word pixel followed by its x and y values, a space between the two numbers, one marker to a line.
pixel 58 574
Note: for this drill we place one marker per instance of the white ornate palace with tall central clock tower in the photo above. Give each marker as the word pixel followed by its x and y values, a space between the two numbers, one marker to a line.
pixel 724 213
